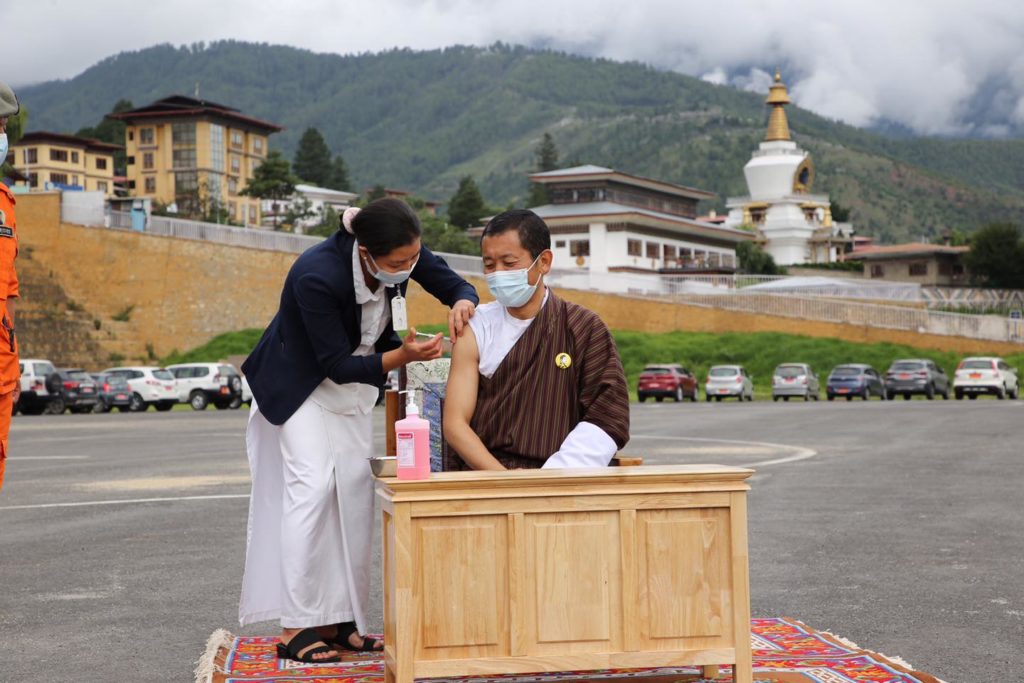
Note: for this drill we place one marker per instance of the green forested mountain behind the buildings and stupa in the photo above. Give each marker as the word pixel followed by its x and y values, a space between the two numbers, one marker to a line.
pixel 423 120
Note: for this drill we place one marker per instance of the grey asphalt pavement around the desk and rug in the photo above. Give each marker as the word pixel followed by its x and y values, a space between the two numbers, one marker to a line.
pixel 897 525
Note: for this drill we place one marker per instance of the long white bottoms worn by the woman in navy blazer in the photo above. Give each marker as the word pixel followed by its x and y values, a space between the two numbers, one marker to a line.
pixel 311 519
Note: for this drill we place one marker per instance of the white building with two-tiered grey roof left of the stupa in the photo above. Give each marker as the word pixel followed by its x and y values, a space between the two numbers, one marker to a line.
pixel 605 222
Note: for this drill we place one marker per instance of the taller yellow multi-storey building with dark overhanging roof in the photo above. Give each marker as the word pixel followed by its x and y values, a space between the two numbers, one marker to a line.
pixel 196 155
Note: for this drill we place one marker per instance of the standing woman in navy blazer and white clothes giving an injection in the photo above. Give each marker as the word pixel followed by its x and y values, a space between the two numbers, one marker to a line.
pixel 315 376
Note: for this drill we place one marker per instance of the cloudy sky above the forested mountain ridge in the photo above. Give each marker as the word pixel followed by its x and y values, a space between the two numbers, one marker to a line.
pixel 937 67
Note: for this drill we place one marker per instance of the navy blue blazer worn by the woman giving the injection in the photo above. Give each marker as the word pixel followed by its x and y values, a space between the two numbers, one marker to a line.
pixel 317 327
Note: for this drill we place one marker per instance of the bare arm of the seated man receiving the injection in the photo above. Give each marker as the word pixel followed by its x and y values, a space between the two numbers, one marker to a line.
pixel 460 403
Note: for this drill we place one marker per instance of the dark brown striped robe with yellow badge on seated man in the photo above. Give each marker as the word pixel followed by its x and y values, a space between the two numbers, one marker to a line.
pixel 533 402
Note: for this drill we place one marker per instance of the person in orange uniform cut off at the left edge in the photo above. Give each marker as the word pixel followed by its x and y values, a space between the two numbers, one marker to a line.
pixel 11 374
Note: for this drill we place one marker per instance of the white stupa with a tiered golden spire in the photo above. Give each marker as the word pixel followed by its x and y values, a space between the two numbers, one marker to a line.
pixel 791 224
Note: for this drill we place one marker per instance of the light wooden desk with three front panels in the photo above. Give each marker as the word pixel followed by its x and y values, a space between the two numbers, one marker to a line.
pixel 542 571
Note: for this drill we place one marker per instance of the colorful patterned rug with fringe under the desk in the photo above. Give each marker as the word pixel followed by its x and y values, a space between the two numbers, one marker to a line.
pixel 785 652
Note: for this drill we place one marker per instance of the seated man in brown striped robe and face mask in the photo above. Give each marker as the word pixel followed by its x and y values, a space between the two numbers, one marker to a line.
pixel 536 381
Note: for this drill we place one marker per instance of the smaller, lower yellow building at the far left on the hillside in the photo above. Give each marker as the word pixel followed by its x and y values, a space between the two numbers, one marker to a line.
pixel 55 160
